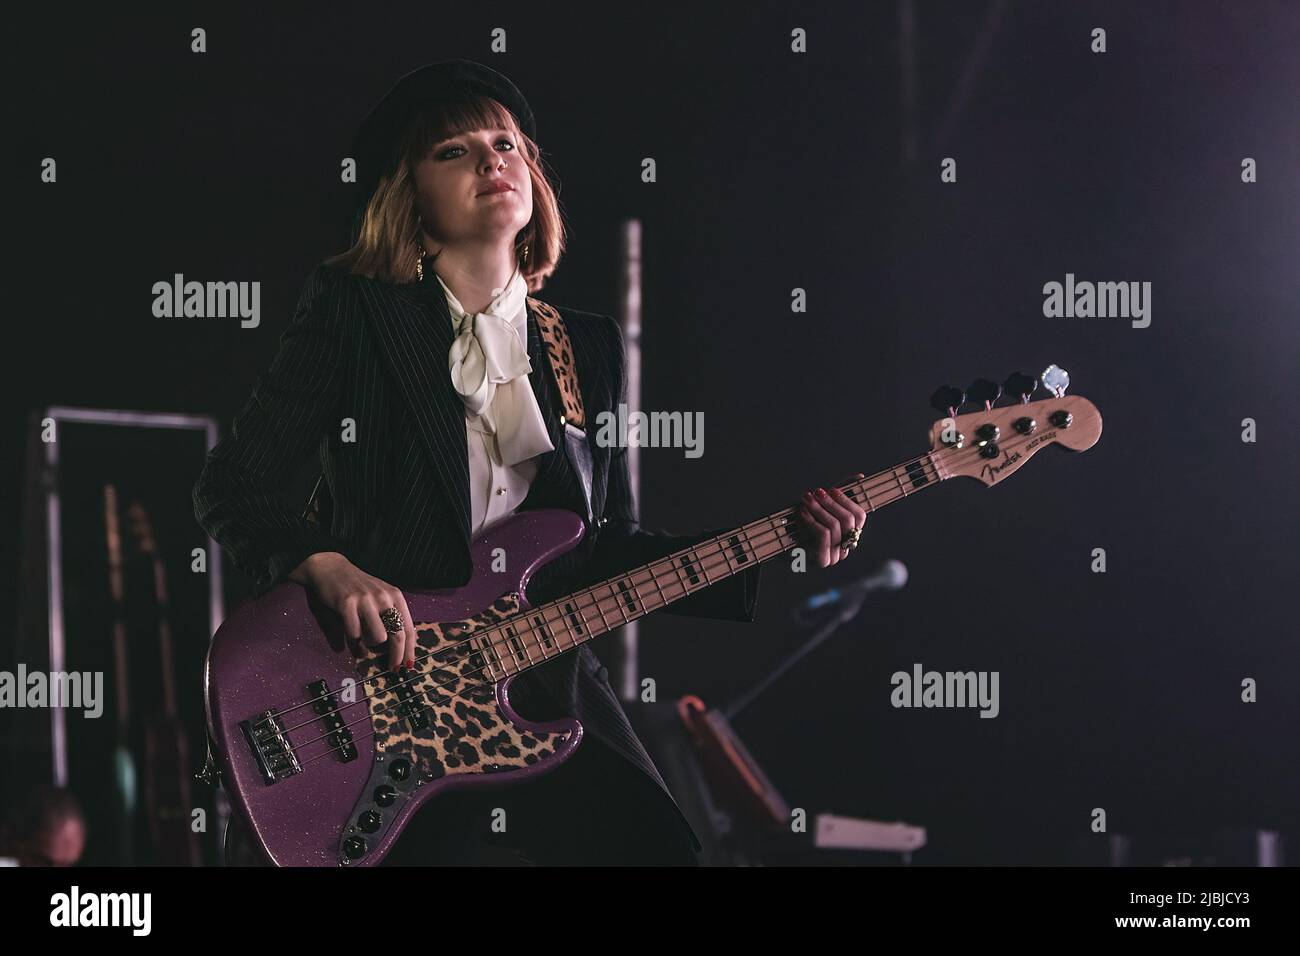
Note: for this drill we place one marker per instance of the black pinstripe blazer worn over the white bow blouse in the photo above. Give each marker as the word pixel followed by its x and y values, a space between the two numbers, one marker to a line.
pixel 398 504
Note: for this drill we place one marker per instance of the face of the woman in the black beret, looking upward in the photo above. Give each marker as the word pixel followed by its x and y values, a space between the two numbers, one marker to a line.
pixel 453 181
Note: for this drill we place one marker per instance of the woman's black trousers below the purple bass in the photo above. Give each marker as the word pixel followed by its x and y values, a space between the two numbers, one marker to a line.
pixel 593 811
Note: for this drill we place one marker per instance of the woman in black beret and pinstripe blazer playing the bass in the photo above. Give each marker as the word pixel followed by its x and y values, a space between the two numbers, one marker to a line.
pixel 415 365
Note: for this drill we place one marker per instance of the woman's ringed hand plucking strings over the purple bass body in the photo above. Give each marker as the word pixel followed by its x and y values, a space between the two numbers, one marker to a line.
pixel 358 599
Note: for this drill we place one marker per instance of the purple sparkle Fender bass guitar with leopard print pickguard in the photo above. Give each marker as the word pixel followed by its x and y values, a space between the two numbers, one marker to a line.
pixel 327 759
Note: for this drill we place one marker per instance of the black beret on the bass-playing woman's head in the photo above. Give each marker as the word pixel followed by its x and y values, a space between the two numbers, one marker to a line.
pixel 449 81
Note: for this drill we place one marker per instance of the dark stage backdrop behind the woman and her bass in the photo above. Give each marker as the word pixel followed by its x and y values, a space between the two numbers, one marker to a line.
pixel 781 171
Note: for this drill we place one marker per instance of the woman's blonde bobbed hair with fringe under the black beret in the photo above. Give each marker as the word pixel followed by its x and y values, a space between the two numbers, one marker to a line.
pixel 389 237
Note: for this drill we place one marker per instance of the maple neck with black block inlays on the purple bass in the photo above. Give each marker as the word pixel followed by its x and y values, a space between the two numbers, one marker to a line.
pixel 560 626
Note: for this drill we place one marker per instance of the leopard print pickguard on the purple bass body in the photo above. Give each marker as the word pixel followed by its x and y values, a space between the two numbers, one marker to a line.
pixel 467 733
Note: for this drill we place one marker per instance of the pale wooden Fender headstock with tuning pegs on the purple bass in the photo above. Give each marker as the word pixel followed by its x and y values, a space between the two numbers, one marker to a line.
pixel 993 443
